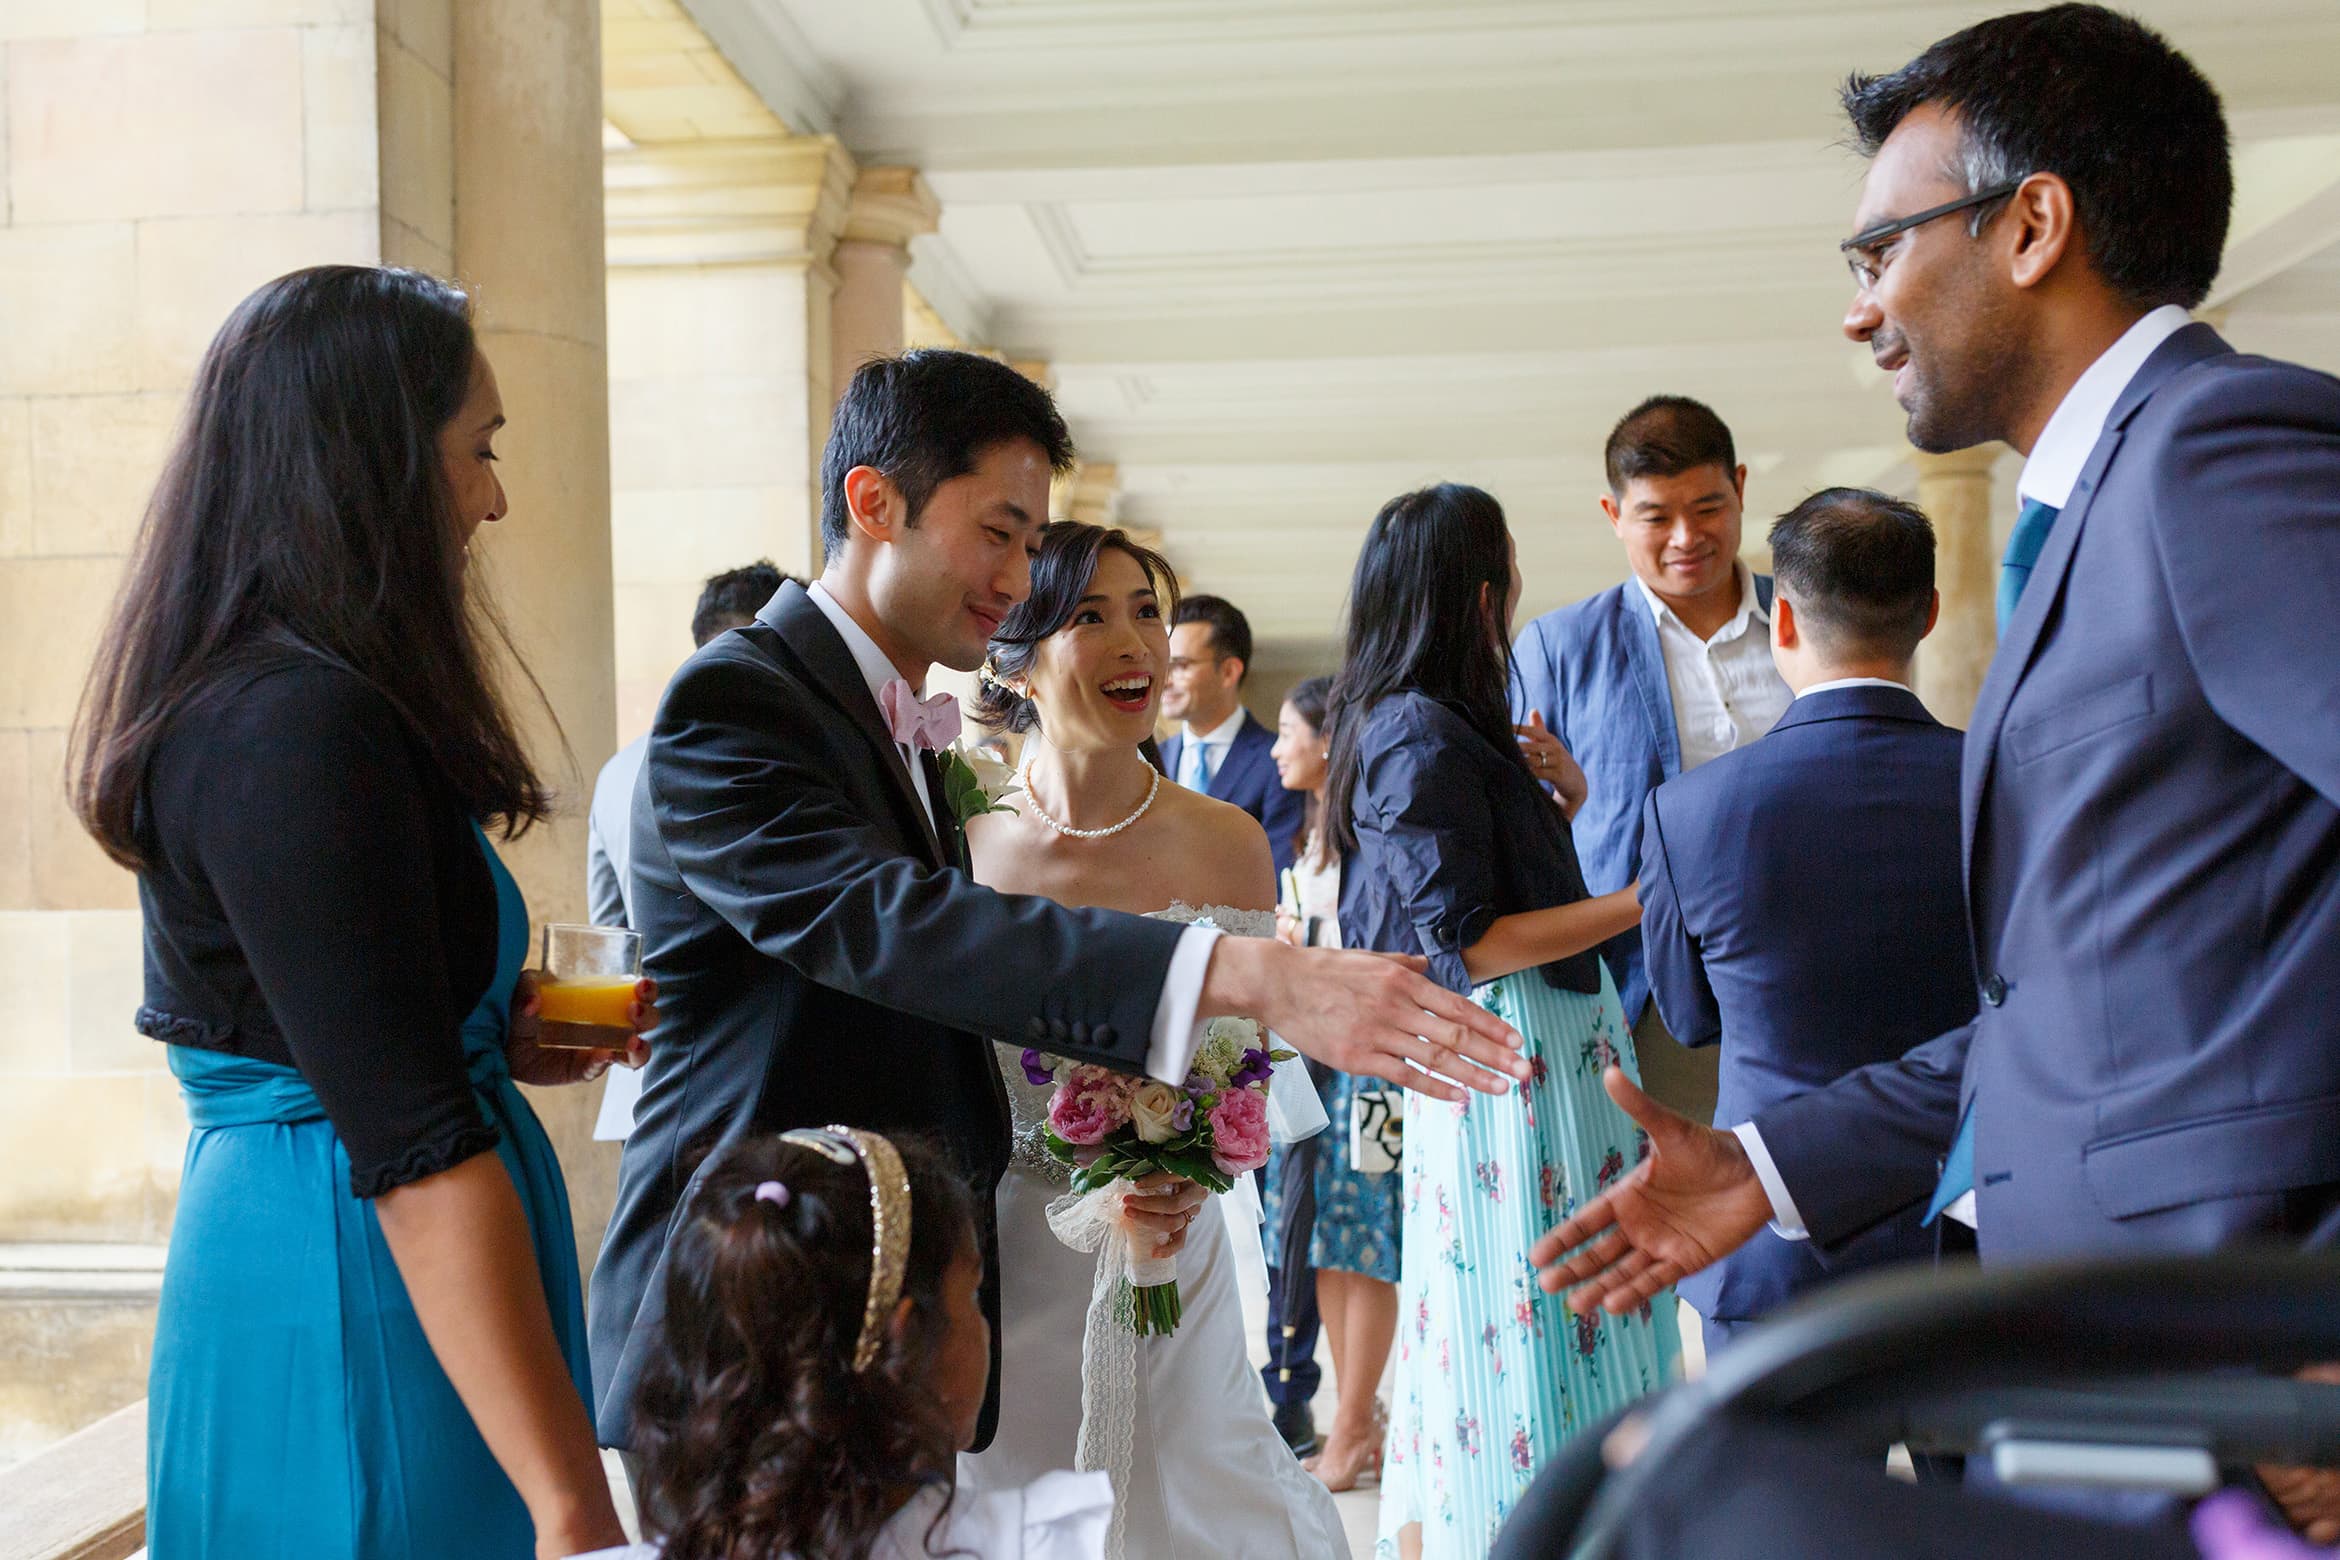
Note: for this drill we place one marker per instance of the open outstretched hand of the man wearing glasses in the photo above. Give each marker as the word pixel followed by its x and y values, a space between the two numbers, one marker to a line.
pixel 1691 1203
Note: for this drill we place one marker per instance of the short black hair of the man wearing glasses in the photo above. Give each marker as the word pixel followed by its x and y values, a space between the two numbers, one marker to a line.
pixel 2105 104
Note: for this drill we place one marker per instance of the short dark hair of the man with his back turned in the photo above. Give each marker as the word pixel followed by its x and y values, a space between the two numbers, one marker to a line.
pixel 1859 570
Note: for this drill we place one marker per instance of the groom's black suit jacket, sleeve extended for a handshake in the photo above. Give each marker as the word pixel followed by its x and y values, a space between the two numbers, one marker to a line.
pixel 818 962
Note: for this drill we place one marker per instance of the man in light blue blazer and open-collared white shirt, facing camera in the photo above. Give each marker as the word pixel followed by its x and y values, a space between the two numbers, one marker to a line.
pixel 1653 677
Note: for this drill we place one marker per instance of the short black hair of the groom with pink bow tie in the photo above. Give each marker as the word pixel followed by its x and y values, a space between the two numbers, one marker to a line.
pixel 930 417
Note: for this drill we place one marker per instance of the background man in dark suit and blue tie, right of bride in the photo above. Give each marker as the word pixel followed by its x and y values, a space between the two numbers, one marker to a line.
pixel 1220 750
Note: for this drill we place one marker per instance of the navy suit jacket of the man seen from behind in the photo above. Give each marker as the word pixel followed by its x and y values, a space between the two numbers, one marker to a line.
pixel 1801 904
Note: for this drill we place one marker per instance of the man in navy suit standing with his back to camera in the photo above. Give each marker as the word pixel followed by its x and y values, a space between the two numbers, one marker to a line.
pixel 1801 897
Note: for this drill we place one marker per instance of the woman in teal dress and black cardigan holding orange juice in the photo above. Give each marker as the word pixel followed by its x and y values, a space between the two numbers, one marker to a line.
pixel 371 1334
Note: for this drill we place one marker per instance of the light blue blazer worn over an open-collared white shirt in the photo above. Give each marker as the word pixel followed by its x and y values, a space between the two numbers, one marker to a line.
pixel 1599 677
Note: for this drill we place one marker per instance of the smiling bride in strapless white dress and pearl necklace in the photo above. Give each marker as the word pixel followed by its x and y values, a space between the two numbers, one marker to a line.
pixel 1080 668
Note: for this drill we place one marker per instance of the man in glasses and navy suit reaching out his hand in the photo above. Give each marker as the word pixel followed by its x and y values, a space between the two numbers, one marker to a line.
pixel 2152 782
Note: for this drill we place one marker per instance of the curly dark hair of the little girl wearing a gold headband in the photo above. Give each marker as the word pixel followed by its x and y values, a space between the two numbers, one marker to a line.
pixel 755 1433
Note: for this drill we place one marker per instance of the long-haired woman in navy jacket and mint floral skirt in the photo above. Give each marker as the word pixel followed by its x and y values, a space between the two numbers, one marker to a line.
pixel 1457 855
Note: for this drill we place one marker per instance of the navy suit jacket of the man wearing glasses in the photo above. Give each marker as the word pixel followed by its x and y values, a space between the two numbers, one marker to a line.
pixel 2152 824
